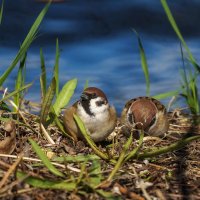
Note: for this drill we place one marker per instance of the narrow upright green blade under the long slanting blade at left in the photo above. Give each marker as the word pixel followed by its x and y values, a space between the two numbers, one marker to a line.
pixel 20 80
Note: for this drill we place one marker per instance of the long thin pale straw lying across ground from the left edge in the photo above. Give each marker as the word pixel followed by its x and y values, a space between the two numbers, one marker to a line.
pixel 38 160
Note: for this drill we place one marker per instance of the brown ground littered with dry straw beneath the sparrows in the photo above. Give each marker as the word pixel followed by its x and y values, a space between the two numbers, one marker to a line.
pixel 173 175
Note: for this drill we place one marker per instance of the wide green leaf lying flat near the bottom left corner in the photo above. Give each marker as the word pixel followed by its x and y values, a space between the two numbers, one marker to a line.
pixel 46 184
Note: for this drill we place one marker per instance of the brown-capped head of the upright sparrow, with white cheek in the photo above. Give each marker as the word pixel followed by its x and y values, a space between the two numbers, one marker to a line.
pixel 94 101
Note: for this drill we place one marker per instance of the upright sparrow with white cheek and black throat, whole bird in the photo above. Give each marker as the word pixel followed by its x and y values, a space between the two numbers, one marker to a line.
pixel 94 110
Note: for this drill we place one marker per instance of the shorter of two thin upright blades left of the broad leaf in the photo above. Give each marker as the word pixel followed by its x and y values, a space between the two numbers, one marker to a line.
pixel 43 79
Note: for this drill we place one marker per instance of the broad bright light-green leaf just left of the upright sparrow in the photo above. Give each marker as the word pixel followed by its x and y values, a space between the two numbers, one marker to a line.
pixel 64 96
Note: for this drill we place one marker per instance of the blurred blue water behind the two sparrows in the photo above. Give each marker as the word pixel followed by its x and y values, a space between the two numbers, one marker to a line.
pixel 97 44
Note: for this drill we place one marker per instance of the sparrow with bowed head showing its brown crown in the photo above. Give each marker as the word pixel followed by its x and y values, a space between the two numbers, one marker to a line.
pixel 145 113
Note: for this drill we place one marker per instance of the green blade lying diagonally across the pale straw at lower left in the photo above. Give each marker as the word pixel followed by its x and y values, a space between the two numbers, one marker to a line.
pixel 45 159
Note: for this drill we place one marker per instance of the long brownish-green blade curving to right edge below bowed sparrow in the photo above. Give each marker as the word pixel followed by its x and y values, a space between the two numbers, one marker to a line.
pixel 173 147
